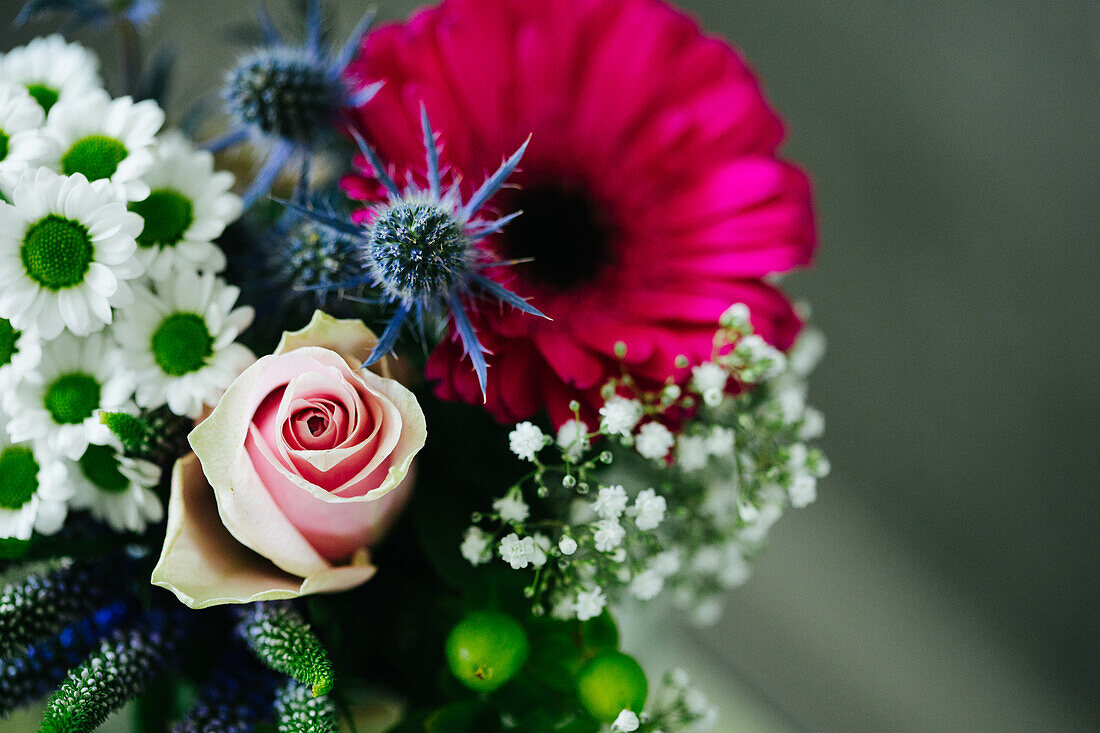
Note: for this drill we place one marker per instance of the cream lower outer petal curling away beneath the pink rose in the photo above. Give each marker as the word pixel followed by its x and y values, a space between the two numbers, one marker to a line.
pixel 204 565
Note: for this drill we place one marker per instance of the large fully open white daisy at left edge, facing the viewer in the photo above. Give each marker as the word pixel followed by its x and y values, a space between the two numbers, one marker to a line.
pixel 67 253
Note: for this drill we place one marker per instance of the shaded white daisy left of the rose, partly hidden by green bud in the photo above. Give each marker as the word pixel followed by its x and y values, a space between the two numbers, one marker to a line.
pixel 117 489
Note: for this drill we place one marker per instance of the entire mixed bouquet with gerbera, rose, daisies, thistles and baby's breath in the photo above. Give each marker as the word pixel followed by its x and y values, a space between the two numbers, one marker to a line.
pixel 486 352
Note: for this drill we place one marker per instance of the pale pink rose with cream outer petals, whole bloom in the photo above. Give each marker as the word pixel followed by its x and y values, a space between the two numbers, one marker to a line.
pixel 302 466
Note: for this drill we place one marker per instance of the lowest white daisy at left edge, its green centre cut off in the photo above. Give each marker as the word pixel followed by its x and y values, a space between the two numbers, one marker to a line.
pixel 35 490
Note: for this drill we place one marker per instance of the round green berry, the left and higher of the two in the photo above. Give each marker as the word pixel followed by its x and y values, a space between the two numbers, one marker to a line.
pixel 487 650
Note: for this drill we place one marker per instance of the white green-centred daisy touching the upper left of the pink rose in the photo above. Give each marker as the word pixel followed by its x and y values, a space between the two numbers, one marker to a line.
pixel 181 342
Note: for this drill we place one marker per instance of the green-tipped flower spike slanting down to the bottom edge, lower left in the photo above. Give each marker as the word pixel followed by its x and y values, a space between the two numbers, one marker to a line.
pixel 115 674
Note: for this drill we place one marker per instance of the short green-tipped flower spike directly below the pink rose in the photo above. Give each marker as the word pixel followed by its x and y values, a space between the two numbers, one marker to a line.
pixel 280 637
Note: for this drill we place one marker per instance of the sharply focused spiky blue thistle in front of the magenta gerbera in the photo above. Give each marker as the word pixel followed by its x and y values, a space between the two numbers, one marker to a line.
pixel 421 250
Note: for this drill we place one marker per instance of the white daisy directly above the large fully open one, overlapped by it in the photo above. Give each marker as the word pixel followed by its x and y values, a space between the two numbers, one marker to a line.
pixel 105 139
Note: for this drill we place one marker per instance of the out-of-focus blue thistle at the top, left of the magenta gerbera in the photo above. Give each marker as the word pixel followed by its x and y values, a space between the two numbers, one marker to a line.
pixel 290 96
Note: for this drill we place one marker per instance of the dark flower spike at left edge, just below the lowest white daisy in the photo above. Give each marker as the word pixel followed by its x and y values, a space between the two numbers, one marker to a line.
pixel 42 606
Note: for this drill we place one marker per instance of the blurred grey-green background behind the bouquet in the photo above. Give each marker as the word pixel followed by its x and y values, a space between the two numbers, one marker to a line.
pixel 949 577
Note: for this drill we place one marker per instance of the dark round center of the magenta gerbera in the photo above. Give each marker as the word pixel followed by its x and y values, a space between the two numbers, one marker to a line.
pixel 564 232
